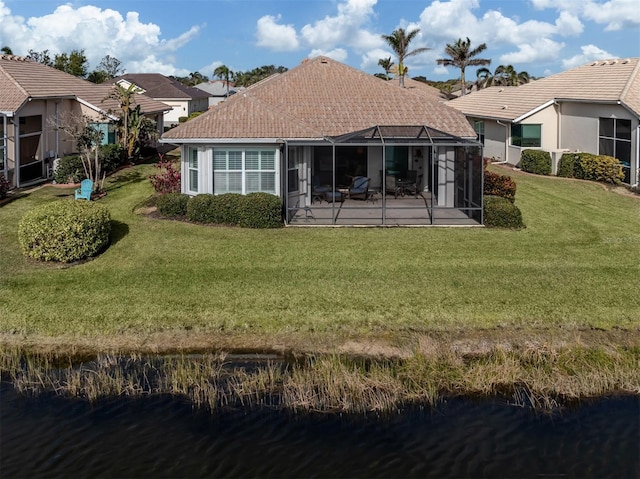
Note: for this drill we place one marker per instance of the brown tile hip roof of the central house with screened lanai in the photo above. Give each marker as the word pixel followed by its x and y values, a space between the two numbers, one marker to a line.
pixel 320 98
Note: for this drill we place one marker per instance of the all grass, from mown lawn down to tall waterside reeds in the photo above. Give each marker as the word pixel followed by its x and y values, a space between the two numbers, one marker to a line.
pixel 550 310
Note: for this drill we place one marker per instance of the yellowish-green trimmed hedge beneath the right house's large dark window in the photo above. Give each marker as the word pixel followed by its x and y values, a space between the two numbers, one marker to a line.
pixel 587 166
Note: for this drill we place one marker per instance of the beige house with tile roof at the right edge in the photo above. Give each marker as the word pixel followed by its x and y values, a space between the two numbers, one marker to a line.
pixel 594 108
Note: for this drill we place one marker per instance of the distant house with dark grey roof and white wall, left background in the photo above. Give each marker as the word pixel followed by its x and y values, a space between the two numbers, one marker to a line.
pixel 182 99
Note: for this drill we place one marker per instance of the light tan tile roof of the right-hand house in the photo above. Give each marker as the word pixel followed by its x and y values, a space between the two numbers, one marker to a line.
pixel 600 81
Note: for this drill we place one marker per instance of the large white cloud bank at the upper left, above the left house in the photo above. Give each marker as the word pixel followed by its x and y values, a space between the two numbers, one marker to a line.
pixel 139 46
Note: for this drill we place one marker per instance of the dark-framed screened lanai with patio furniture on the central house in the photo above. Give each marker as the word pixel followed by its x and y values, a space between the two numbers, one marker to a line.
pixel 384 176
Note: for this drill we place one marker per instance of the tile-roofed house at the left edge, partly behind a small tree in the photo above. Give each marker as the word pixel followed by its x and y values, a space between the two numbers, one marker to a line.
pixel 33 98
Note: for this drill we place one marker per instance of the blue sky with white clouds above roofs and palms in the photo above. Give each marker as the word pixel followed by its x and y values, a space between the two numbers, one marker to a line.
pixel 178 37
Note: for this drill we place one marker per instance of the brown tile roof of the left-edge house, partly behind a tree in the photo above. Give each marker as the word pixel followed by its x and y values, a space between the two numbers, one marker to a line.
pixel 22 79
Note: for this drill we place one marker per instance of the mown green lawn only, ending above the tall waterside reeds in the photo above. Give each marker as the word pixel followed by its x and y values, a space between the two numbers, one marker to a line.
pixel 575 266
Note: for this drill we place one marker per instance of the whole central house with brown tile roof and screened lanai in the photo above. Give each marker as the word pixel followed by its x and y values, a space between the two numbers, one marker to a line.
pixel 305 135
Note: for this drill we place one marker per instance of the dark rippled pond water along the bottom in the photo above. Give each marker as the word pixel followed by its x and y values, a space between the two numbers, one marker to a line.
pixel 164 436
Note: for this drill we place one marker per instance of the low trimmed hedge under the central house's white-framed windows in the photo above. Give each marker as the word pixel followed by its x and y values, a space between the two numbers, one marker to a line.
pixel 255 210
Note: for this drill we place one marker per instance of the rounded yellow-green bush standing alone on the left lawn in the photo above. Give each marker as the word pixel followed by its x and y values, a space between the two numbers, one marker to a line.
pixel 65 231
